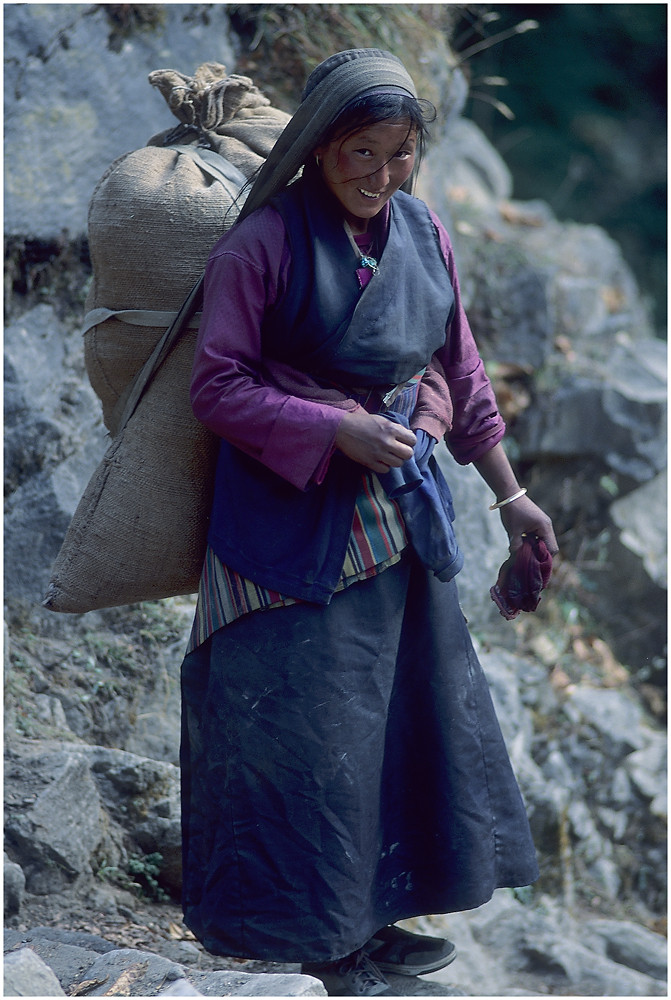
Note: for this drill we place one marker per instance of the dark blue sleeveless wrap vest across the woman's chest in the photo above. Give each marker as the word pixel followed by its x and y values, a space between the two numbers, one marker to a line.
pixel 326 325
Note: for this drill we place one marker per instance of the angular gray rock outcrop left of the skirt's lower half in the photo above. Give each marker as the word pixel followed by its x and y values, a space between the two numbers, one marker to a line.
pixel 89 798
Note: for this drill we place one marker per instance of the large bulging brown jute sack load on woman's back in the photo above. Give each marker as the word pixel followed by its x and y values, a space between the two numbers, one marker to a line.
pixel 139 531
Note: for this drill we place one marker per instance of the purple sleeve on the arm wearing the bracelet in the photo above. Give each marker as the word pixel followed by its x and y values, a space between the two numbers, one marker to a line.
pixel 477 424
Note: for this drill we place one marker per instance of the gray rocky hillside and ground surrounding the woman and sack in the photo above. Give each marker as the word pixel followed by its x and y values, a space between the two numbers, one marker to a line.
pixel 92 829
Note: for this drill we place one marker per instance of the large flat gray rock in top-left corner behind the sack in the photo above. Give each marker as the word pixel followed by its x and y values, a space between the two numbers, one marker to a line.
pixel 74 103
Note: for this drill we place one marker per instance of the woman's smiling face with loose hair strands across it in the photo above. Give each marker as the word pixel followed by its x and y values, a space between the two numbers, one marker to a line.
pixel 365 169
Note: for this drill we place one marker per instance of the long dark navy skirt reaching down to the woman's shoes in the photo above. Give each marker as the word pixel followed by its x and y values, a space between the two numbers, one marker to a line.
pixel 342 769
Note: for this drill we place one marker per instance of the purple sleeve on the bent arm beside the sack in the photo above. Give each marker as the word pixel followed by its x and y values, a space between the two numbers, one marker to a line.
pixel 244 275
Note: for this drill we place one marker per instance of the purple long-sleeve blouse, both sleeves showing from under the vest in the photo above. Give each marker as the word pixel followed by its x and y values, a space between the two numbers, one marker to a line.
pixel 245 399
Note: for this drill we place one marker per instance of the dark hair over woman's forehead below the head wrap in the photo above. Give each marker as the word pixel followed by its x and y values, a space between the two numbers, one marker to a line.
pixel 371 109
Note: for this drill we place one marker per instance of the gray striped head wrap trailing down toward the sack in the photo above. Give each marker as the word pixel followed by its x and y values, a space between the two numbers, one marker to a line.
pixel 335 83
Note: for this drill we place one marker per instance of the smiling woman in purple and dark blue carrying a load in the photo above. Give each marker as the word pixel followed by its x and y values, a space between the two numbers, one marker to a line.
pixel 342 765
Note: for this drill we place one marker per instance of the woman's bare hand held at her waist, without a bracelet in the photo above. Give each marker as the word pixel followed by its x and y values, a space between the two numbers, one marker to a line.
pixel 374 441
